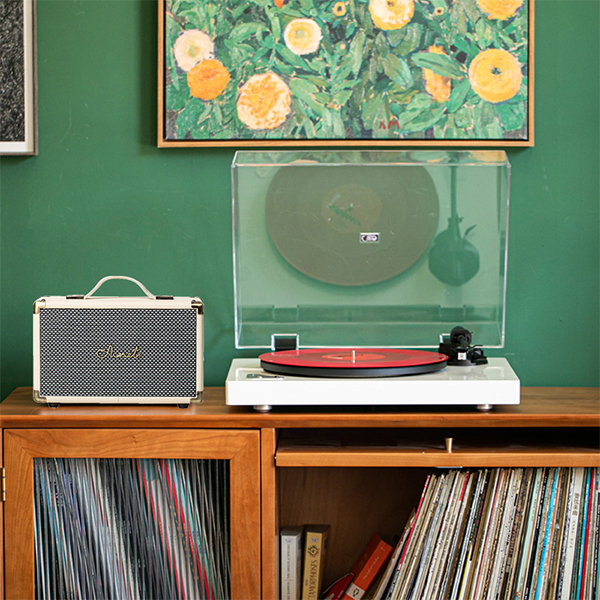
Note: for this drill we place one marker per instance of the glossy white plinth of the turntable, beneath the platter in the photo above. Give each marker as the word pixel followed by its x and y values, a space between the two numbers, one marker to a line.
pixel 483 386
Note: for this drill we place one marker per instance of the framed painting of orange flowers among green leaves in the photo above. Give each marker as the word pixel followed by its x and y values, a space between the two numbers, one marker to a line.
pixel 352 72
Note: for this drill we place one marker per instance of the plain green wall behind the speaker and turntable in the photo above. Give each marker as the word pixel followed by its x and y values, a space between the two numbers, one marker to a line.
pixel 102 199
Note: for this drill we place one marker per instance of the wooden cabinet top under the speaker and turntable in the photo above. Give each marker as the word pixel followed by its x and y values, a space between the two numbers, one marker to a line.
pixel 539 407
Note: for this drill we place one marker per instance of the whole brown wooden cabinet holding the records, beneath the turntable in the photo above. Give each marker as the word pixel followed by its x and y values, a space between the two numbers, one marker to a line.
pixel 360 470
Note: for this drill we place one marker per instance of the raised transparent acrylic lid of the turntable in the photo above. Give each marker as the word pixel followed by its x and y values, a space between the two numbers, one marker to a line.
pixel 369 248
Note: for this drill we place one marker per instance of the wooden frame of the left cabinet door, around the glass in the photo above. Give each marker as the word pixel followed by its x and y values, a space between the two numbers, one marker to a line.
pixel 240 448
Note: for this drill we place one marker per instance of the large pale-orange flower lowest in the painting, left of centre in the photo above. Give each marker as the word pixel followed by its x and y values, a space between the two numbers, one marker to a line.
pixel 264 101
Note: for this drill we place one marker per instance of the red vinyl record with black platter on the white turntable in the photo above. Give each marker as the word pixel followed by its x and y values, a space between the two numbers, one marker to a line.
pixel 349 362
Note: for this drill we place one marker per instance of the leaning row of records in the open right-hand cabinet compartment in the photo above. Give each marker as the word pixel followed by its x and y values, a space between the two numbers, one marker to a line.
pixel 526 533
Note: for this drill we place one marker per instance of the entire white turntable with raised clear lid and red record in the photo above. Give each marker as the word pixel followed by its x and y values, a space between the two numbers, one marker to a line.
pixel 352 266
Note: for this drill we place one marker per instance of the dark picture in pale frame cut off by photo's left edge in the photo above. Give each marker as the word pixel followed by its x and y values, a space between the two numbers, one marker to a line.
pixel 18 134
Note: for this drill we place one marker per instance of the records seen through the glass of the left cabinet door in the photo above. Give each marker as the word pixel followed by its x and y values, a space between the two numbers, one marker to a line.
pixel 131 528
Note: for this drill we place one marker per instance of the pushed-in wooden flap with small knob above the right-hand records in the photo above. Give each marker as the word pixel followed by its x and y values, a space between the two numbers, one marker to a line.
pixel 428 448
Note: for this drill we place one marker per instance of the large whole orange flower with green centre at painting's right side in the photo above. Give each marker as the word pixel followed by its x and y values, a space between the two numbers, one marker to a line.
pixel 495 75
